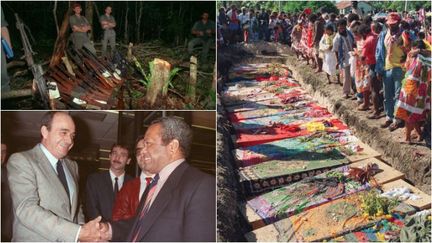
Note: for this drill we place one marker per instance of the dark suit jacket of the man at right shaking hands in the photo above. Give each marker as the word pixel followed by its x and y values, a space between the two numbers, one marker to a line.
pixel 183 210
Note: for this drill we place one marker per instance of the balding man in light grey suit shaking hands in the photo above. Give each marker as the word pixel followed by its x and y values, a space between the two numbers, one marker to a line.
pixel 44 187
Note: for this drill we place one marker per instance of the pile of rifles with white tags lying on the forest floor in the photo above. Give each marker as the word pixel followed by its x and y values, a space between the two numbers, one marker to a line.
pixel 92 85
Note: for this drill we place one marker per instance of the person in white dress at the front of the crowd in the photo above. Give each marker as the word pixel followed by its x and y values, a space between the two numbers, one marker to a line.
pixel 327 54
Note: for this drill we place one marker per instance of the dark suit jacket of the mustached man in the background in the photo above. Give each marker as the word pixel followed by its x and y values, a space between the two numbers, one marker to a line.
pixel 100 195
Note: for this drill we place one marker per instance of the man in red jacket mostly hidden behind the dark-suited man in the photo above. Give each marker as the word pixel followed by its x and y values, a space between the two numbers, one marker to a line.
pixel 127 201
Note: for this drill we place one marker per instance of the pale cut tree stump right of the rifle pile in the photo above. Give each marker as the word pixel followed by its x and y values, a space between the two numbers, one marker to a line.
pixel 159 78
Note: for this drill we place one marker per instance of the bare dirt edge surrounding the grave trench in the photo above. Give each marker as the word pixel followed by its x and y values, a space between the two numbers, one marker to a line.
pixel 413 160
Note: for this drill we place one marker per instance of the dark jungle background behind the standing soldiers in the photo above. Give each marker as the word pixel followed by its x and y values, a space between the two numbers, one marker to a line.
pixel 156 29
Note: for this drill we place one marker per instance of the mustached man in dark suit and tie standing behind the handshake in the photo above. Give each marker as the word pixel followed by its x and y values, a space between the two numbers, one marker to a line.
pixel 102 187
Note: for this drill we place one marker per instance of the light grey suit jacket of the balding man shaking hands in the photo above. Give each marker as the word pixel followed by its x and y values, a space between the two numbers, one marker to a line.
pixel 40 202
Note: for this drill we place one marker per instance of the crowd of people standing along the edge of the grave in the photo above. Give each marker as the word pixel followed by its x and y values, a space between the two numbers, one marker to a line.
pixel 381 59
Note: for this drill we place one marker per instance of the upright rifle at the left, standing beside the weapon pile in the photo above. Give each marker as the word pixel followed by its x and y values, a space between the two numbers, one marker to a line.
pixel 36 69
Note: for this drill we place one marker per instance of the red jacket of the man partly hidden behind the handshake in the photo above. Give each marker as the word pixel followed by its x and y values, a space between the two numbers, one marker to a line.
pixel 127 200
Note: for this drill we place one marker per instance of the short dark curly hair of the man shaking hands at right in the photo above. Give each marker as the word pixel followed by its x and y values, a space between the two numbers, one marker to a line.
pixel 175 128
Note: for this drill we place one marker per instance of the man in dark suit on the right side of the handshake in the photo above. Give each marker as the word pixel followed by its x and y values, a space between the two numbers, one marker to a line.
pixel 180 202
